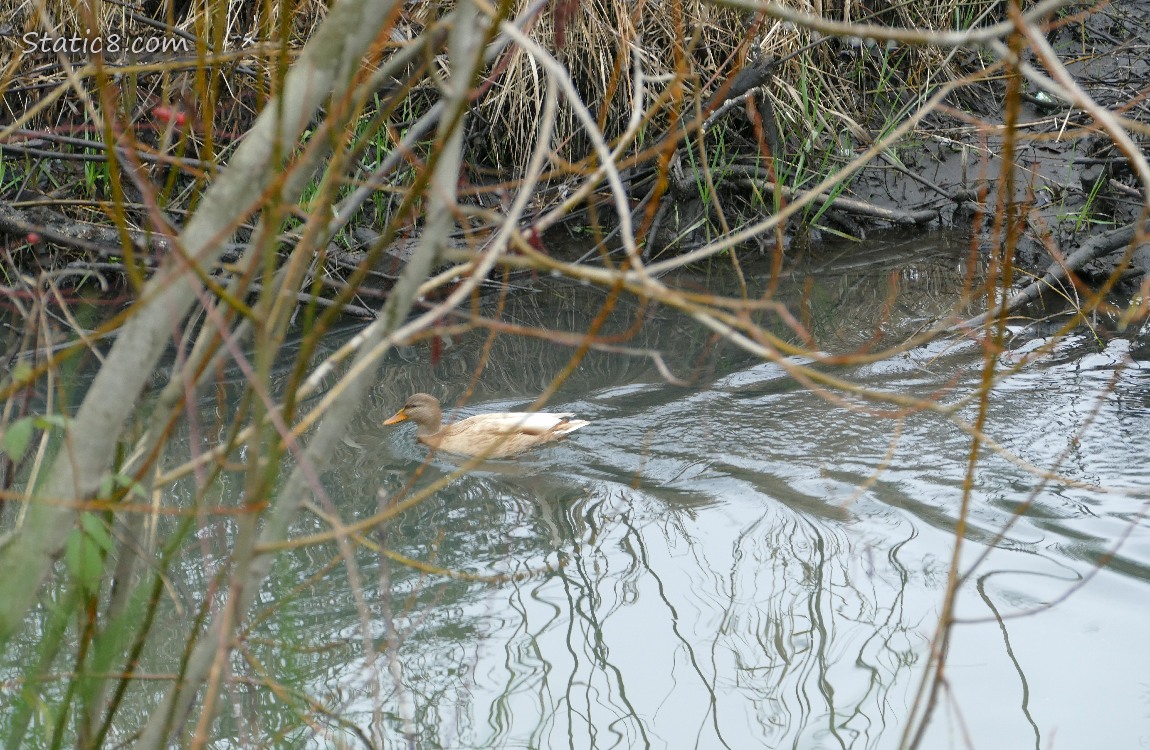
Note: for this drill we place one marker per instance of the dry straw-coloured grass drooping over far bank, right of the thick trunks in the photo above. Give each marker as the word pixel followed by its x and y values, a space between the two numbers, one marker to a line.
pixel 688 51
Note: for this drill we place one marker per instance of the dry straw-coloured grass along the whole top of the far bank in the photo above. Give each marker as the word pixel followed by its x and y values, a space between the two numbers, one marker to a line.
pixel 686 52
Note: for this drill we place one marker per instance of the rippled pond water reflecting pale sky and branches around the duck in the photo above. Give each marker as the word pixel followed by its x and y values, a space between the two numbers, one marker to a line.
pixel 738 562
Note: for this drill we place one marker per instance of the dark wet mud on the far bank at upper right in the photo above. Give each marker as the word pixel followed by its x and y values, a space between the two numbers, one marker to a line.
pixel 1071 181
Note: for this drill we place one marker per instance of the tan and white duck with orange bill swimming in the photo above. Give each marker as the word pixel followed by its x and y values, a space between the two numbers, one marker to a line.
pixel 495 435
